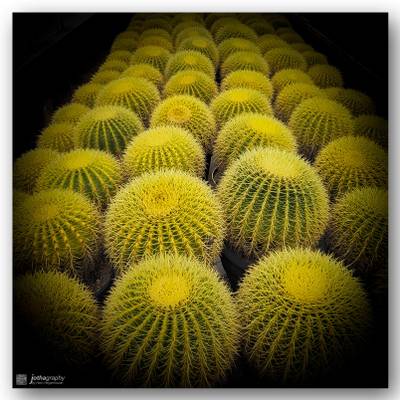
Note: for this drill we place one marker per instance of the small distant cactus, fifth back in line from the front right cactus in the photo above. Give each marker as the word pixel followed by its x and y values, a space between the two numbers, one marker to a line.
pixel 248 79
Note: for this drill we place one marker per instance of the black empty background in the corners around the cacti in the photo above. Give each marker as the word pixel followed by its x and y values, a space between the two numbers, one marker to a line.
pixel 55 53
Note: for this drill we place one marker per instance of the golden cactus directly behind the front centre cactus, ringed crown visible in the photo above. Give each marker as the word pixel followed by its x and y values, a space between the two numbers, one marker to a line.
pixel 167 211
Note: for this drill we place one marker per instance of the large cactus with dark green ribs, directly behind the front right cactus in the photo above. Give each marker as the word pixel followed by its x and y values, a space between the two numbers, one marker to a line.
pixel 272 199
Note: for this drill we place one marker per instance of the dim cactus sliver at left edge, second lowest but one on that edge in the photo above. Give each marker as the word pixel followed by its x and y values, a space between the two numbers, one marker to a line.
pixel 28 167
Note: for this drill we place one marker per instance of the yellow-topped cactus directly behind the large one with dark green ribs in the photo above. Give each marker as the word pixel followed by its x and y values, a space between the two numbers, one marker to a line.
pixel 248 131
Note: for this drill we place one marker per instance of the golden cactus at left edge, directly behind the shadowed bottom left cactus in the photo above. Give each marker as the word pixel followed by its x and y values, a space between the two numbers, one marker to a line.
pixel 55 229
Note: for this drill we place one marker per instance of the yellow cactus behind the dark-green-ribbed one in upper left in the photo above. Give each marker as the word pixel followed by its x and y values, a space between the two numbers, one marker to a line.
pixel 137 94
